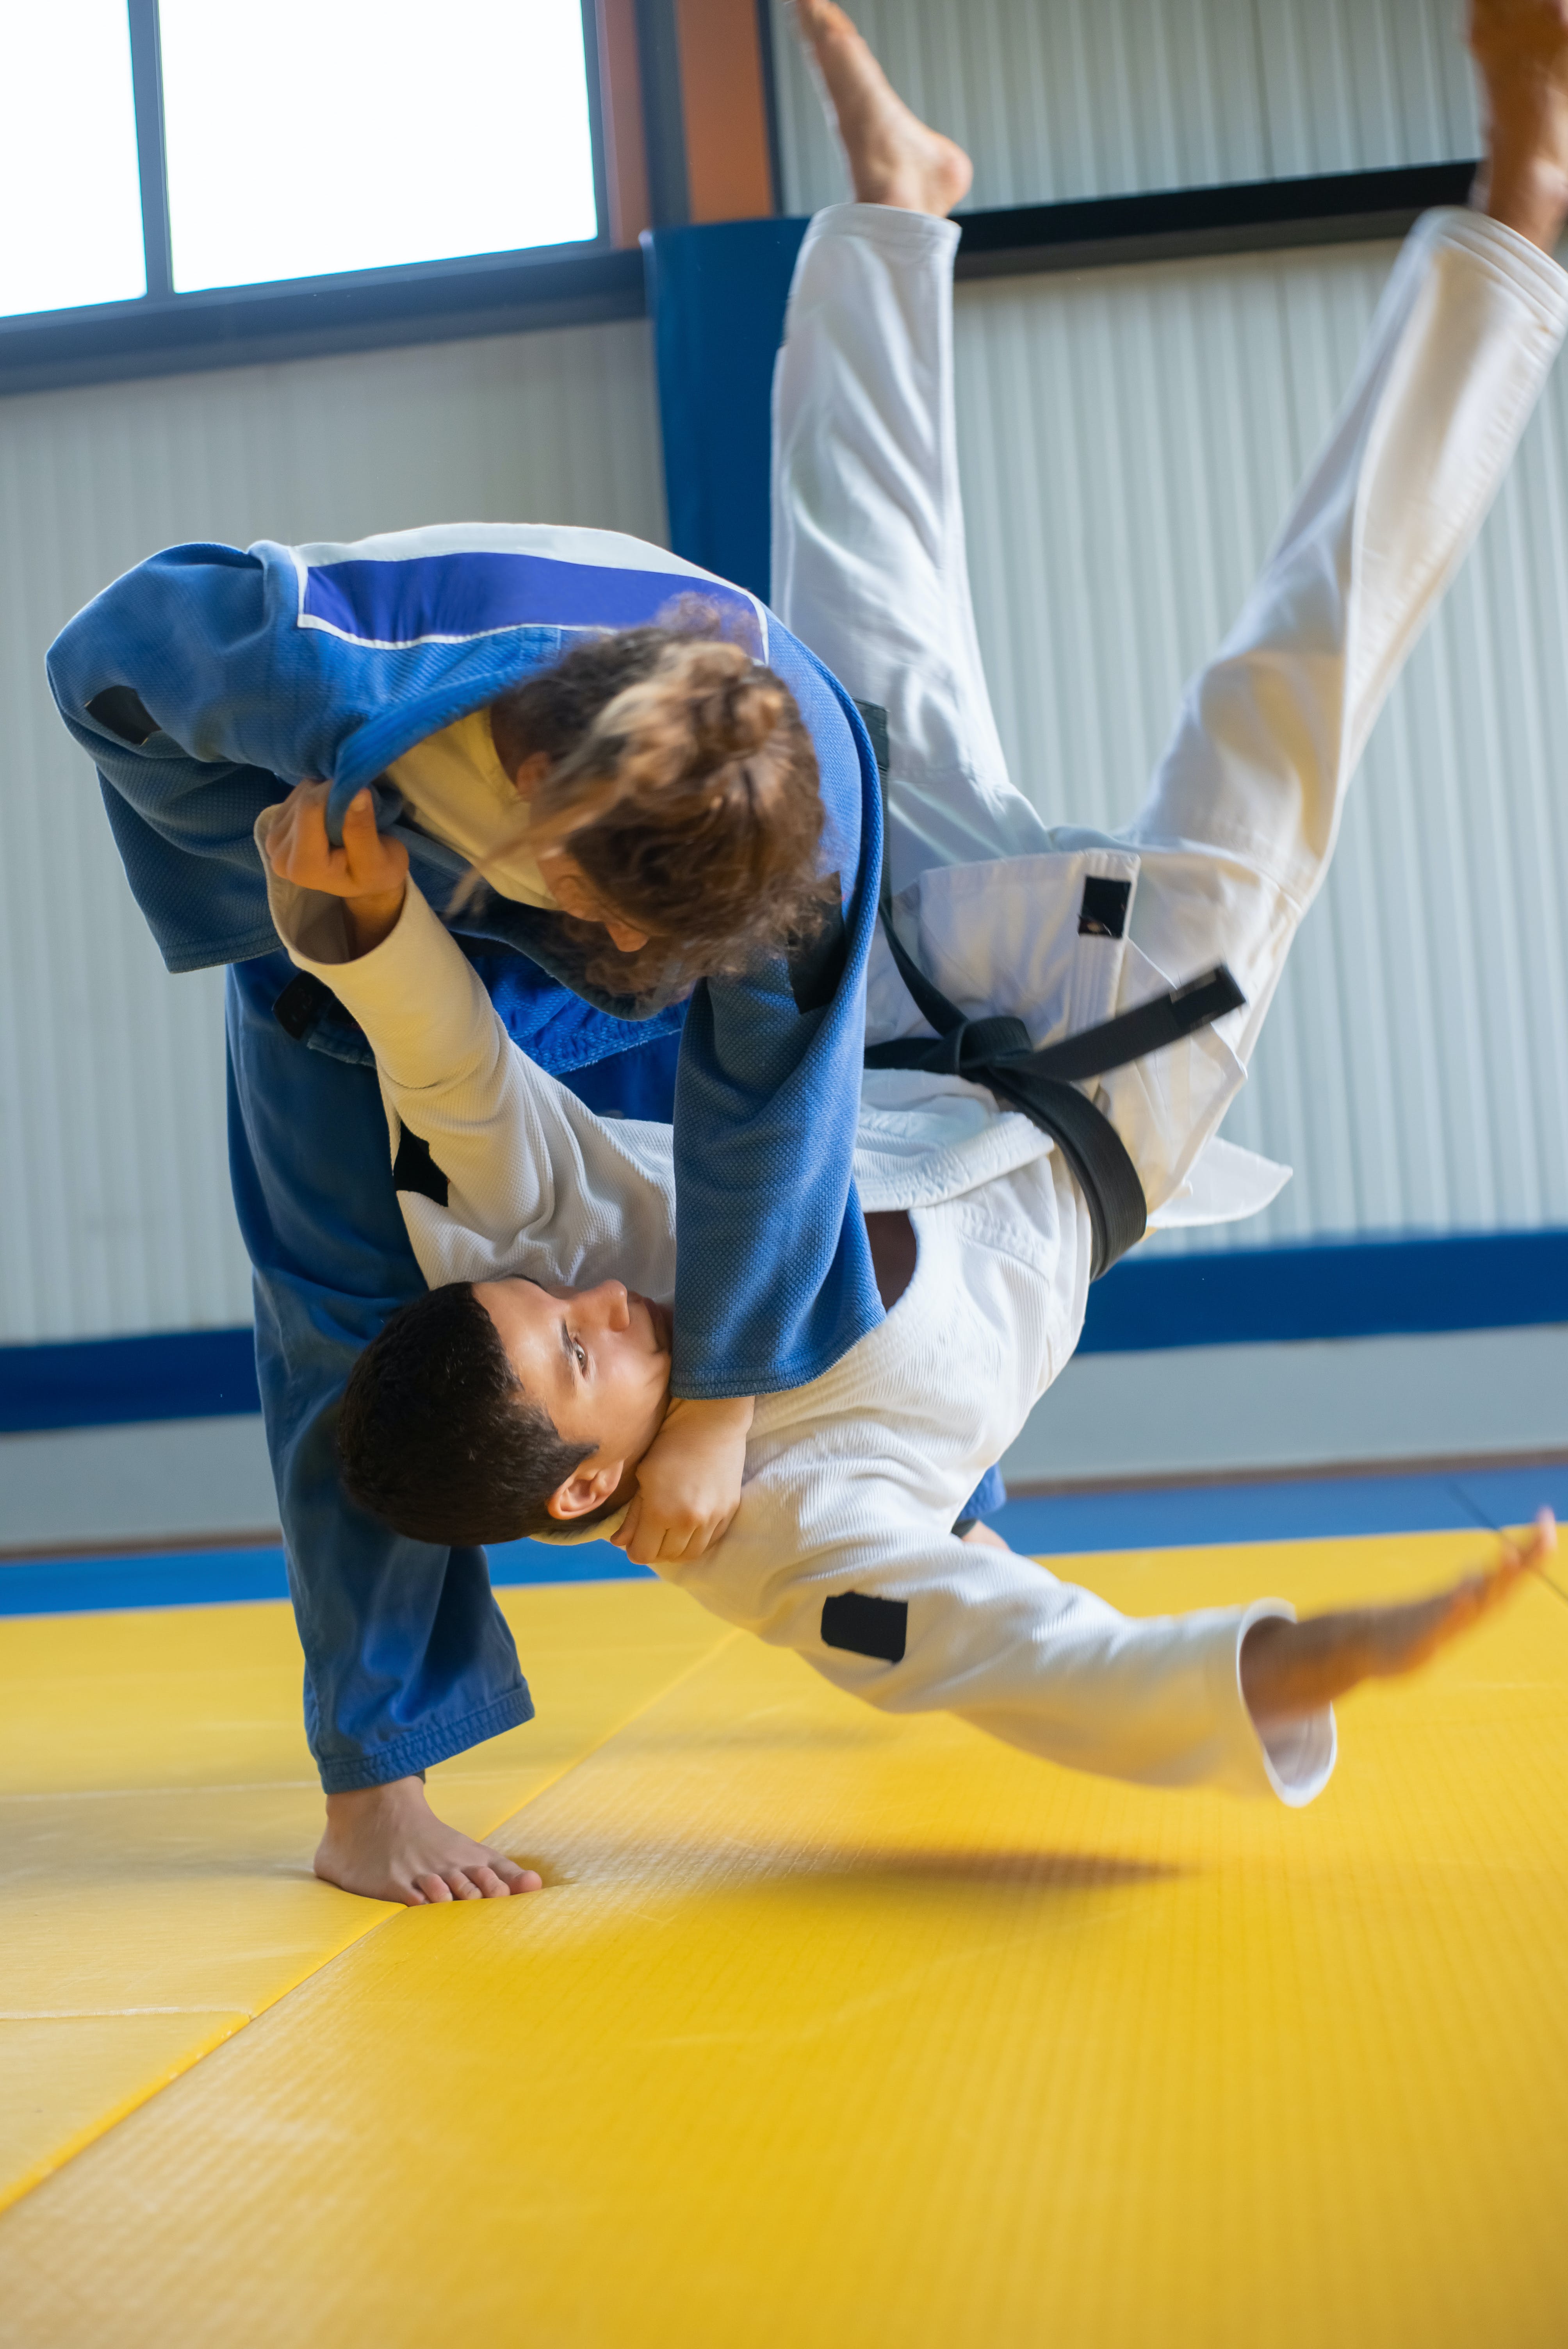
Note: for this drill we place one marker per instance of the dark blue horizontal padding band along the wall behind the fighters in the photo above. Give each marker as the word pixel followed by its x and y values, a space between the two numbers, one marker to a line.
pixel 1248 1295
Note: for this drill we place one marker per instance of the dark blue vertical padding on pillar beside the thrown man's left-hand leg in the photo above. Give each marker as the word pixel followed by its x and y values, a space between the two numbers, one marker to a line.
pixel 717 302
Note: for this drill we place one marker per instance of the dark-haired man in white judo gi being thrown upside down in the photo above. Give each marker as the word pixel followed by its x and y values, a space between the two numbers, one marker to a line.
pixel 844 1544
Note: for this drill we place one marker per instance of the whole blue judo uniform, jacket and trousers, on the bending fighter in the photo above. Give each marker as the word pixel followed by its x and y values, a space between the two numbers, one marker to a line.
pixel 205 685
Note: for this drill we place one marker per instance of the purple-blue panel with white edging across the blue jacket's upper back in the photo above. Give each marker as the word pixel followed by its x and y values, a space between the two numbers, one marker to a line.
pixel 450 598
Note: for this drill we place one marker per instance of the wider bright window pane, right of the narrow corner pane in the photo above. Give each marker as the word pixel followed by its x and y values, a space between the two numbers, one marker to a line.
pixel 311 137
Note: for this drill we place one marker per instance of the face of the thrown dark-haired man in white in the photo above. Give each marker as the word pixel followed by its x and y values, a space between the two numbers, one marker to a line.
pixel 600 1364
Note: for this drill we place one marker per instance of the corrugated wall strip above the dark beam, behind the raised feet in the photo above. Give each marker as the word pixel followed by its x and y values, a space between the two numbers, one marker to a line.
pixel 1097 97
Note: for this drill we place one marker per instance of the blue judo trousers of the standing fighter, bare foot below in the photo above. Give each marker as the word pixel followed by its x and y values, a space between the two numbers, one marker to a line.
pixel 407 1655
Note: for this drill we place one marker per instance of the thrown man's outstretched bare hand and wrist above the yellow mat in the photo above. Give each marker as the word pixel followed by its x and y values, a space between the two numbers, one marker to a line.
pixel 1297 1669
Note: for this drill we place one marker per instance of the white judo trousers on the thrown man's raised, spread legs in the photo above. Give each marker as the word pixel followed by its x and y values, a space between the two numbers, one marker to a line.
pixel 1245 807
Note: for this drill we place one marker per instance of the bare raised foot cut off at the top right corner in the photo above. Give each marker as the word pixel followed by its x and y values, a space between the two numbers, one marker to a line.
pixel 1522 55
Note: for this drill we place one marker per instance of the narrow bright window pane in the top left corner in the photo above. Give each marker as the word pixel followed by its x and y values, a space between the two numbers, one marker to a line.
pixel 69 187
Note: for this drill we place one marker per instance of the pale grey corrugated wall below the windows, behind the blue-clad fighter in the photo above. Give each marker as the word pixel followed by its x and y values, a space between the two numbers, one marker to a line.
pixel 111 1075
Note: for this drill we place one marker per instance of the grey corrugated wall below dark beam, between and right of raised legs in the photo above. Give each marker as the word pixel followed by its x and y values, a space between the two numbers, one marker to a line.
pixel 1130 443
